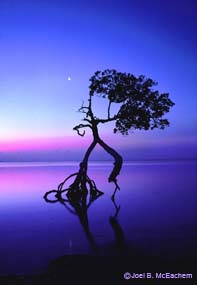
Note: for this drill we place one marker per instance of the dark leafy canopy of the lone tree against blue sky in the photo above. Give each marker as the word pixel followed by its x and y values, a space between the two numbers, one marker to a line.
pixel 141 106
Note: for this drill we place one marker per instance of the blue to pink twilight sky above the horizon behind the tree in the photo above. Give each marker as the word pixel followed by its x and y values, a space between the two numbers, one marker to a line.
pixel 42 43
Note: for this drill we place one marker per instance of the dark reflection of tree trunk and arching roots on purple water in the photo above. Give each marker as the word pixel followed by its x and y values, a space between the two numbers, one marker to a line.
pixel 79 202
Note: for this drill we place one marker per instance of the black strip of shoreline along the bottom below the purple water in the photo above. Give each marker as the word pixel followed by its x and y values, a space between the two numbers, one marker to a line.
pixel 77 269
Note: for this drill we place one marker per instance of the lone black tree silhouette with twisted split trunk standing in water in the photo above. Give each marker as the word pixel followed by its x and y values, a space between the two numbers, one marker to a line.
pixel 140 107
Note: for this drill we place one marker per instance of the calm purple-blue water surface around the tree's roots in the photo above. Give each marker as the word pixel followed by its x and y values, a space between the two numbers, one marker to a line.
pixel 157 214
